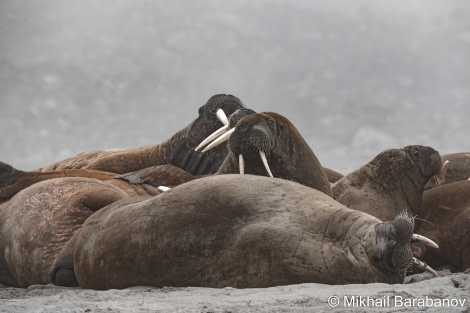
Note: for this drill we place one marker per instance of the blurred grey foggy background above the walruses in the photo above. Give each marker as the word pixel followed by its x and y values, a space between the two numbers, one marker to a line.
pixel 355 77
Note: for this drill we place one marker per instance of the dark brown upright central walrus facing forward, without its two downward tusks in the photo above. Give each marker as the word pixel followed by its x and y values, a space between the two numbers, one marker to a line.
pixel 288 155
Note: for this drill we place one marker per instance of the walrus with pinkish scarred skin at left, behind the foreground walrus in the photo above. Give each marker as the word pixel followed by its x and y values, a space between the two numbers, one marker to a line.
pixel 36 223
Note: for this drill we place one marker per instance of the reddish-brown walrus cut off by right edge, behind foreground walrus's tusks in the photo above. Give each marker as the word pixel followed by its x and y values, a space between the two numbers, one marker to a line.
pixel 446 219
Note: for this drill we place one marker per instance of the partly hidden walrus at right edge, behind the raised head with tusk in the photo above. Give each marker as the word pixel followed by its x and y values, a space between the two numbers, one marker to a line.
pixel 458 169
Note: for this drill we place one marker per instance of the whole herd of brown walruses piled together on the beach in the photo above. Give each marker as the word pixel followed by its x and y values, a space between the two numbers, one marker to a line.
pixel 237 198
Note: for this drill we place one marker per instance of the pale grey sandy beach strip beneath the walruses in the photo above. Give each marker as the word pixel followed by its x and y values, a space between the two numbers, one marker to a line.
pixel 448 293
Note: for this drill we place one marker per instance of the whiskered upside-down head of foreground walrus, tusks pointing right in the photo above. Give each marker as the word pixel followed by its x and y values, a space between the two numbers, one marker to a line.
pixel 394 242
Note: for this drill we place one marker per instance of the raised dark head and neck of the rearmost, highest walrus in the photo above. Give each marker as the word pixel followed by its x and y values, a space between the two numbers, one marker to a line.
pixel 212 116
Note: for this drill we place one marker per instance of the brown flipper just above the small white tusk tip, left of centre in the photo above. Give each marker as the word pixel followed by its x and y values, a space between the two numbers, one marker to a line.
pixel 160 175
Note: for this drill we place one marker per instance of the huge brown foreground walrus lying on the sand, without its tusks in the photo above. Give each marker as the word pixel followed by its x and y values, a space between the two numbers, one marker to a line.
pixel 241 231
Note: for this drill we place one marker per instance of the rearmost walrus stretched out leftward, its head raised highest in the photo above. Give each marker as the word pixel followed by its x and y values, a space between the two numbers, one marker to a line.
pixel 122 161
